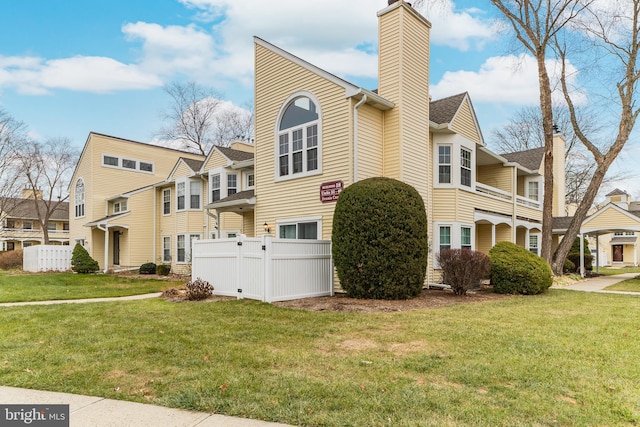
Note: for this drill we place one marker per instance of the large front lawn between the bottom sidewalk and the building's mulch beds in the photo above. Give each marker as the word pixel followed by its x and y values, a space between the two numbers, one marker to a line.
pixel 559 359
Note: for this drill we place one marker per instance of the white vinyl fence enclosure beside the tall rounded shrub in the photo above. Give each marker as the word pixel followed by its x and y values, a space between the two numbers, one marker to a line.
pixel 264 268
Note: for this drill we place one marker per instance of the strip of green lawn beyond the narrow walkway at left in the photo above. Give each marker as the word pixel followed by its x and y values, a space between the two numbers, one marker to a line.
pixel 16 287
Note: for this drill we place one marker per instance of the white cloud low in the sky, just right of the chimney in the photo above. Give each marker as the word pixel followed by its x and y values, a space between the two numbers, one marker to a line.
pixel 510 80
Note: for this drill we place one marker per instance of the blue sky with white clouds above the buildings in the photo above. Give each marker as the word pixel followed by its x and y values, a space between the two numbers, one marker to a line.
pixel 69 67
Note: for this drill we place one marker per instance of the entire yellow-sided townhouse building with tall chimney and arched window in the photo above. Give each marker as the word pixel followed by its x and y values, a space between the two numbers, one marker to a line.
pixel 316 134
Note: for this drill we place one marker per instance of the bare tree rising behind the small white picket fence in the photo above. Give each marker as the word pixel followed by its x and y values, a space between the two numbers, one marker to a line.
pixel 47 169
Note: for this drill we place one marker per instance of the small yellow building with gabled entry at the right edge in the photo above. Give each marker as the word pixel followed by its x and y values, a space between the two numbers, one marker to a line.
pixel 613 231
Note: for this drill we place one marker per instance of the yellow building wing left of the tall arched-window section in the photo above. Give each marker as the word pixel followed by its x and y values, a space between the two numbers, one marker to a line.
pixel 134 203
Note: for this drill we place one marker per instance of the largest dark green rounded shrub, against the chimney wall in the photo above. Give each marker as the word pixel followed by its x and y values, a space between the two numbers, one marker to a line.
pixel 380 243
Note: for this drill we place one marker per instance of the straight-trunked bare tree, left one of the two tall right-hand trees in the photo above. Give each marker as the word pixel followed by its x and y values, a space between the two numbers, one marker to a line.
pixel 536 23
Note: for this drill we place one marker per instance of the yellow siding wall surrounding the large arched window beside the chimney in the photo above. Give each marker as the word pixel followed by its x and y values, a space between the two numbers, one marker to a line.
pixel 277 79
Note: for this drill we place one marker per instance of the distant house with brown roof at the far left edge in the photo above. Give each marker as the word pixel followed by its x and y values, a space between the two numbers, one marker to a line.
pixel 20 226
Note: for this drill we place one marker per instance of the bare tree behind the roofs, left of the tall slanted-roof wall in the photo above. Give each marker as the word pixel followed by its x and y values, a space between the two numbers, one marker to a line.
pixel 198 118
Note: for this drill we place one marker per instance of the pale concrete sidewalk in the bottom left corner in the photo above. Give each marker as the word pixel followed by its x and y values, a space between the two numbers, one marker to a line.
pixel 99 412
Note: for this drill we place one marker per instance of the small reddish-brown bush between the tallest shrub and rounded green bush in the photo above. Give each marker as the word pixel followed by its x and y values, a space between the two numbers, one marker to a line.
pixel 463 269
